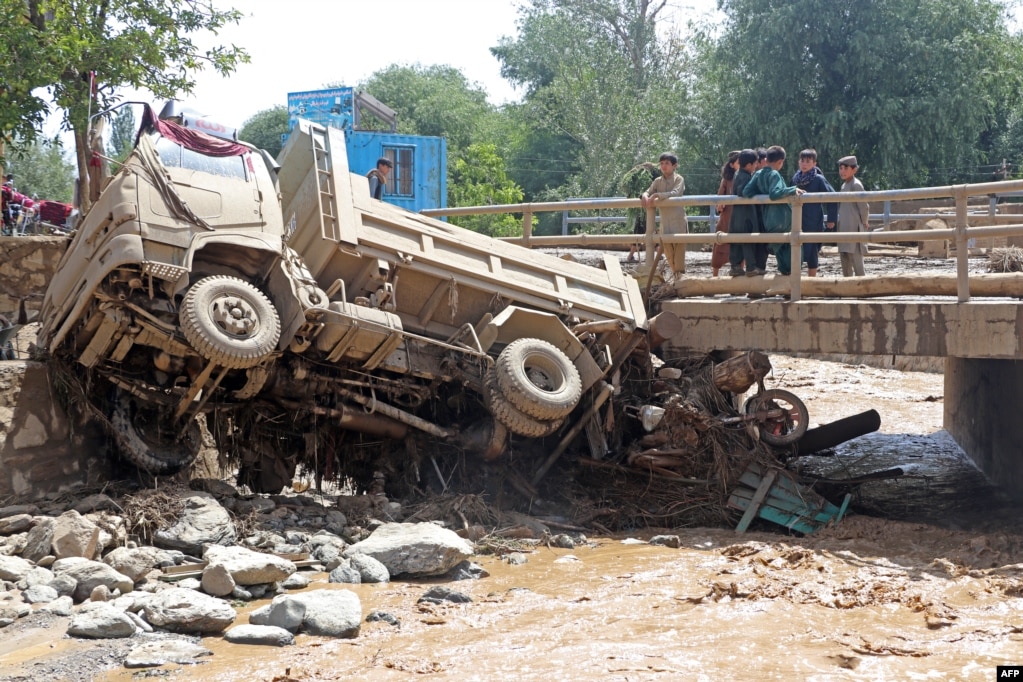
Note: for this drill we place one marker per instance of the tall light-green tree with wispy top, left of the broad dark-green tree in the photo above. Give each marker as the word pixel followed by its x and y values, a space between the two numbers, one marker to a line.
pixel 597 72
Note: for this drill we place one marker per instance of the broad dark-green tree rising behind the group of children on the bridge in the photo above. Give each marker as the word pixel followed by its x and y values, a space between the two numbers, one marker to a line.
pixel 909 86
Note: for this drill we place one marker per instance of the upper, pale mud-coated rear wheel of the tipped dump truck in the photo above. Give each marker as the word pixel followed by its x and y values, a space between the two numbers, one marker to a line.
pixel 539 379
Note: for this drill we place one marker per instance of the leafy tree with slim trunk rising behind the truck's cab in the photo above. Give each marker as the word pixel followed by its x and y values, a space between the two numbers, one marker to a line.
pixel 124 43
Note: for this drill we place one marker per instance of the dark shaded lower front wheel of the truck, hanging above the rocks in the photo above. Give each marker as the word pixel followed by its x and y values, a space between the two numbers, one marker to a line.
pixel 153 443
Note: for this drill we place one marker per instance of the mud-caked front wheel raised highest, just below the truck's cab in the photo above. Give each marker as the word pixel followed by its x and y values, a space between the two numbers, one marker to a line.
pixel 230 323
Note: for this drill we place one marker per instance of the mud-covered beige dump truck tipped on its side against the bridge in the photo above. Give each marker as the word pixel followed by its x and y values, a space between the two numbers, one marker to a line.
pixel 312 326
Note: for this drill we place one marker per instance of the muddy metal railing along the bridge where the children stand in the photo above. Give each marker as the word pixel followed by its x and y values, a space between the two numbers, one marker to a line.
pixel 961 234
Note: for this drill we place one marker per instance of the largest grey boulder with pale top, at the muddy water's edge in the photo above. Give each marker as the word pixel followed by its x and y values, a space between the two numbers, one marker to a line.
pixel 414 550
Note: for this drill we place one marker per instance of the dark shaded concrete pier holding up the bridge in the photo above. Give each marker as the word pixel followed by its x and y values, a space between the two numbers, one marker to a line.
pixel 984 403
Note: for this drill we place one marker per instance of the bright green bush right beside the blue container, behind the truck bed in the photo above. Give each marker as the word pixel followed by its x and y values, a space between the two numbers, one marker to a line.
pixel 480 179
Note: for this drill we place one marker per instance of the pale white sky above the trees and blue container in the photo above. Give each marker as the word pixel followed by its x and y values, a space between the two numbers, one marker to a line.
pixel 297 46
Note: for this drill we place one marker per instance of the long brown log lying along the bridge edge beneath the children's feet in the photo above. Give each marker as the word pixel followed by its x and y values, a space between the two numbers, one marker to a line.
pixel 995 285
